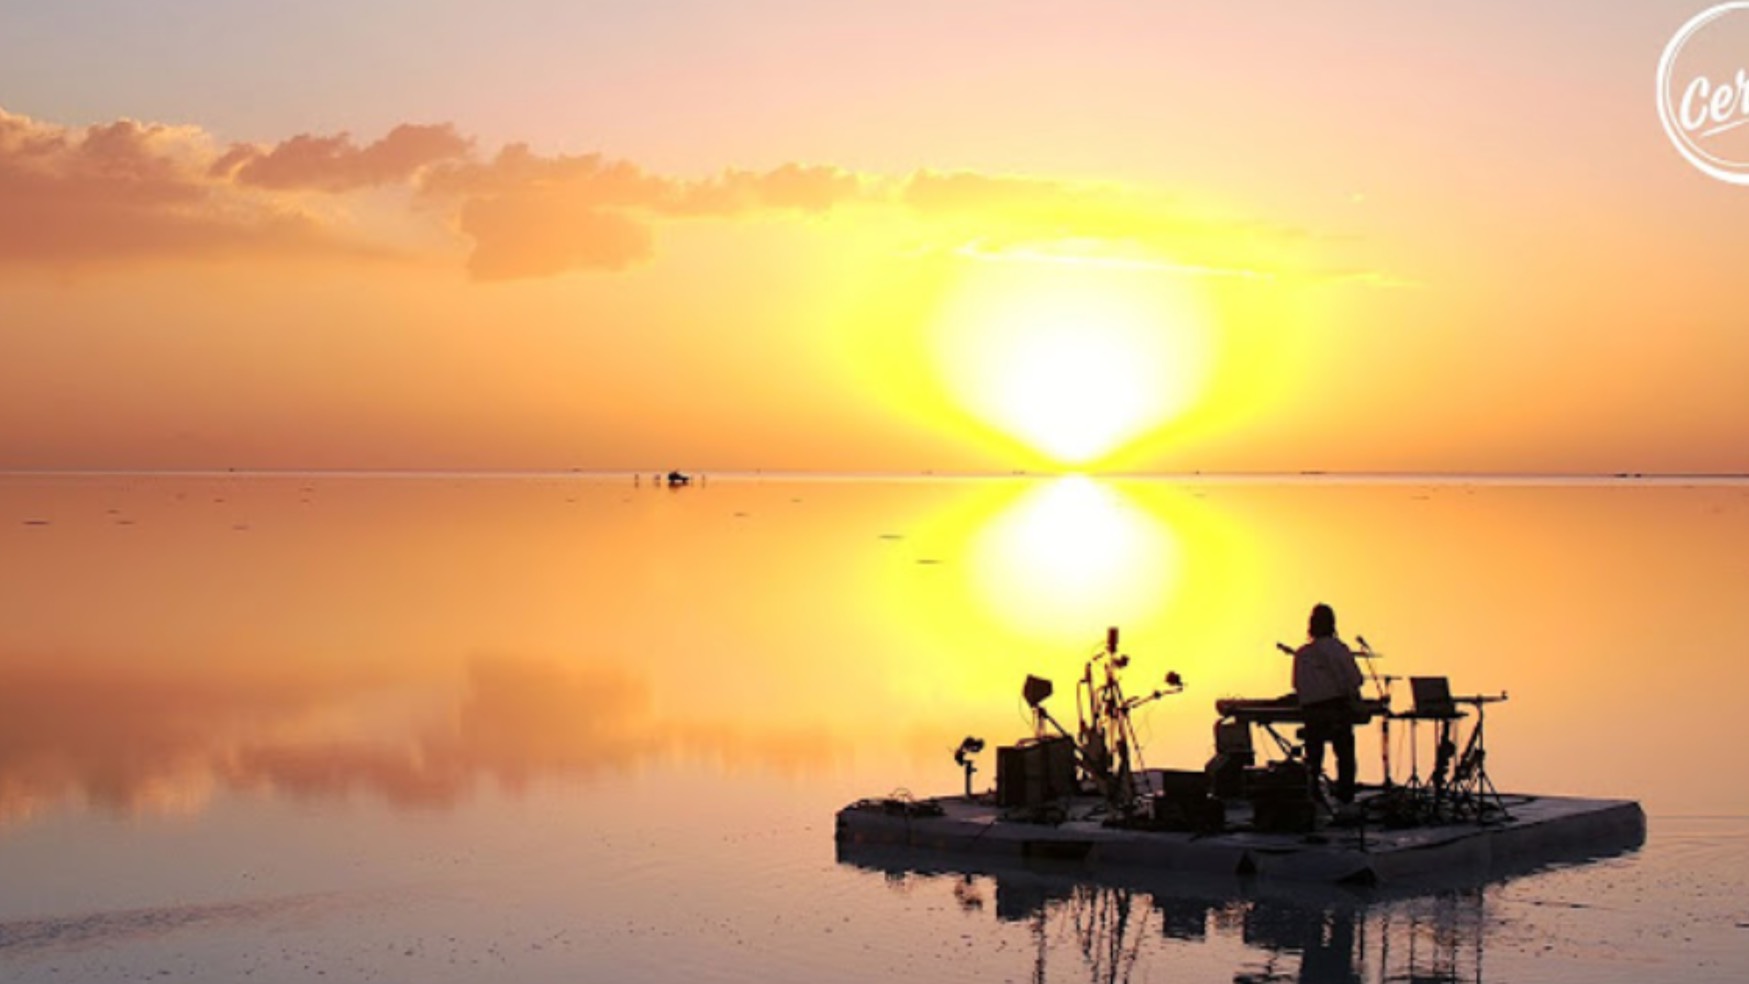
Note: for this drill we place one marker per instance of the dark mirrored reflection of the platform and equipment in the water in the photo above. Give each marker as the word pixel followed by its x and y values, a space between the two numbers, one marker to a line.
pixel 1117 927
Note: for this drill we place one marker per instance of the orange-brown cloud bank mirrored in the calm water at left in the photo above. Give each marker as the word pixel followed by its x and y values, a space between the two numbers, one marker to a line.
pixel 162 742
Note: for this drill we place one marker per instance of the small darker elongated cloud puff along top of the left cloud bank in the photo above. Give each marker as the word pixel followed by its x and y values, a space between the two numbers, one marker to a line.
pixel 337 165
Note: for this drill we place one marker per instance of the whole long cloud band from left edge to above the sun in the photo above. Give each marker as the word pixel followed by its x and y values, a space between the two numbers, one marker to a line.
pixel 136 191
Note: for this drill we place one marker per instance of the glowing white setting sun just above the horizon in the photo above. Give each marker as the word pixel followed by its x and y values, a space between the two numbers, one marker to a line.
pixel 1073 359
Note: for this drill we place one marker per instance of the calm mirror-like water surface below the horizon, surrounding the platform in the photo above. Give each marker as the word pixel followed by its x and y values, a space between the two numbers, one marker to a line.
pixel 571 728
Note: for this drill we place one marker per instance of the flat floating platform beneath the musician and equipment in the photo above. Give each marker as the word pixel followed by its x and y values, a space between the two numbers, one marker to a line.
pixel 1542 831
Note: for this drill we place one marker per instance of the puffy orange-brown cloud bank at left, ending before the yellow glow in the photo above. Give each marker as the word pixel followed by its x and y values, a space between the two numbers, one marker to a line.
pixel 136 191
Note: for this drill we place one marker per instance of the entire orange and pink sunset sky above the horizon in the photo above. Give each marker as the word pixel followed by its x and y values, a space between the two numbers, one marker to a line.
pixel 860 237
